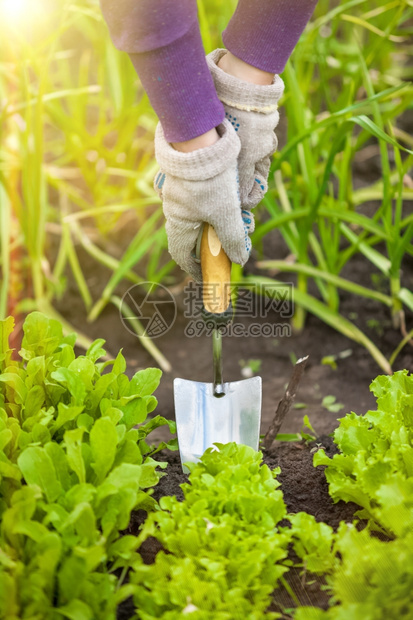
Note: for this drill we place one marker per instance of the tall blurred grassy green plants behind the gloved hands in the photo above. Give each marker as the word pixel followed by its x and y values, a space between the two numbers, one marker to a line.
pixel 76 163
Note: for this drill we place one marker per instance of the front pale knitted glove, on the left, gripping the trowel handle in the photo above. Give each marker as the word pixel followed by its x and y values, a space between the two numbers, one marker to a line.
pixel 202 186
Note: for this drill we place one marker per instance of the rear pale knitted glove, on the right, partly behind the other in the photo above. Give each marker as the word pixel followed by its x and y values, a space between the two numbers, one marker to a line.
pixel 252 111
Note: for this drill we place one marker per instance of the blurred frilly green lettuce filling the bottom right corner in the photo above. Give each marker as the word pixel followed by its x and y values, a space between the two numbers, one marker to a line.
pixel 366 578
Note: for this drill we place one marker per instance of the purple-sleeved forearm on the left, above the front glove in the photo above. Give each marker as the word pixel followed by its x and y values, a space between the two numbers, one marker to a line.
pixel 163 40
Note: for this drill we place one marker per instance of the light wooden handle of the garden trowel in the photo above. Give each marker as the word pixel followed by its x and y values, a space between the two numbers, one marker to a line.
pixel 216 273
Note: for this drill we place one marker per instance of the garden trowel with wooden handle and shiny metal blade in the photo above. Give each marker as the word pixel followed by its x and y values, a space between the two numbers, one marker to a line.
pixel 207 413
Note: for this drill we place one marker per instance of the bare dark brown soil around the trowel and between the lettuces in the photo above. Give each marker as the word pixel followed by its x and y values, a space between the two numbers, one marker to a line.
pixel 304 486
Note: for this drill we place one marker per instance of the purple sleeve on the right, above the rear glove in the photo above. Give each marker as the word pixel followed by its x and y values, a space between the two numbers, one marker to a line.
pixel 263 33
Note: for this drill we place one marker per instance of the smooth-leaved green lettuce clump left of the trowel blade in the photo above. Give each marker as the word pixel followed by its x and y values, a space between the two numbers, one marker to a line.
pixel 73 466
